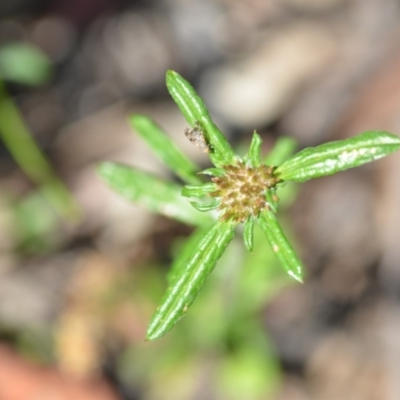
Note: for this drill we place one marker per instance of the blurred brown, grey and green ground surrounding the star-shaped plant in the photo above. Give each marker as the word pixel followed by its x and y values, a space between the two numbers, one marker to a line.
pixel 82 270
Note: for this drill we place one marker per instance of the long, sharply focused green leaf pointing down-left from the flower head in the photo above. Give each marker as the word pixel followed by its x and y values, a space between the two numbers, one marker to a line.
pixel 190 279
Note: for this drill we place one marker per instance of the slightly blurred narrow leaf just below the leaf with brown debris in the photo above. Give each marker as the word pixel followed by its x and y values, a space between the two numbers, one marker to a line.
pixel 165 149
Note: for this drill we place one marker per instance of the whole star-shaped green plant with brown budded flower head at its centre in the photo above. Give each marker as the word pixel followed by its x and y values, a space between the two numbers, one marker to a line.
pixel 239 190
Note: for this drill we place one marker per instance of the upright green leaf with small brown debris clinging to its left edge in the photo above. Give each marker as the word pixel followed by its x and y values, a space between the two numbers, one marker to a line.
pixel 197 115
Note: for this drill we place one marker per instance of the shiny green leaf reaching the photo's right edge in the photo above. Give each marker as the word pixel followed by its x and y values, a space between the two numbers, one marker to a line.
pixel 333 157
